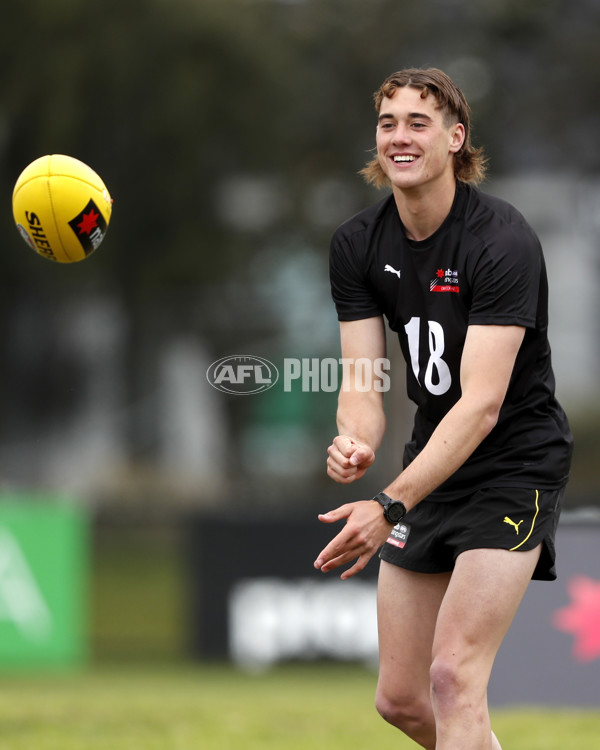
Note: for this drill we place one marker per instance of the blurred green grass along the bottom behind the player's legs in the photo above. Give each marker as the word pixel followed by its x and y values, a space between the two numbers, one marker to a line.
pixel 218 708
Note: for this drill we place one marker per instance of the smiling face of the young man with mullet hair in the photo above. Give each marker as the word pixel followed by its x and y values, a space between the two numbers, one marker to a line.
pixel 415 142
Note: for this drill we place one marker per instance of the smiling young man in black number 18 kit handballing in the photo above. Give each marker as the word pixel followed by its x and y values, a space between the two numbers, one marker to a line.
pixel 471 517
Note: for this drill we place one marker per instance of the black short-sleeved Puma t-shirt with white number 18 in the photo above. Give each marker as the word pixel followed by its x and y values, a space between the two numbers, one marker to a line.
pixel 483 266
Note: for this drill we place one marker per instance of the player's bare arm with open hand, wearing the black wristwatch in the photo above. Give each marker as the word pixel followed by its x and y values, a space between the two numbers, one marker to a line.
pixel 487 363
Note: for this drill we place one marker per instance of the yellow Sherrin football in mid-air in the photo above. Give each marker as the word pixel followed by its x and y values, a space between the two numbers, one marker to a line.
pixel 61 208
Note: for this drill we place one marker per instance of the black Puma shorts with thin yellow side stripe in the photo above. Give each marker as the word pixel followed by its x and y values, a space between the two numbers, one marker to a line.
pixel 432 535
